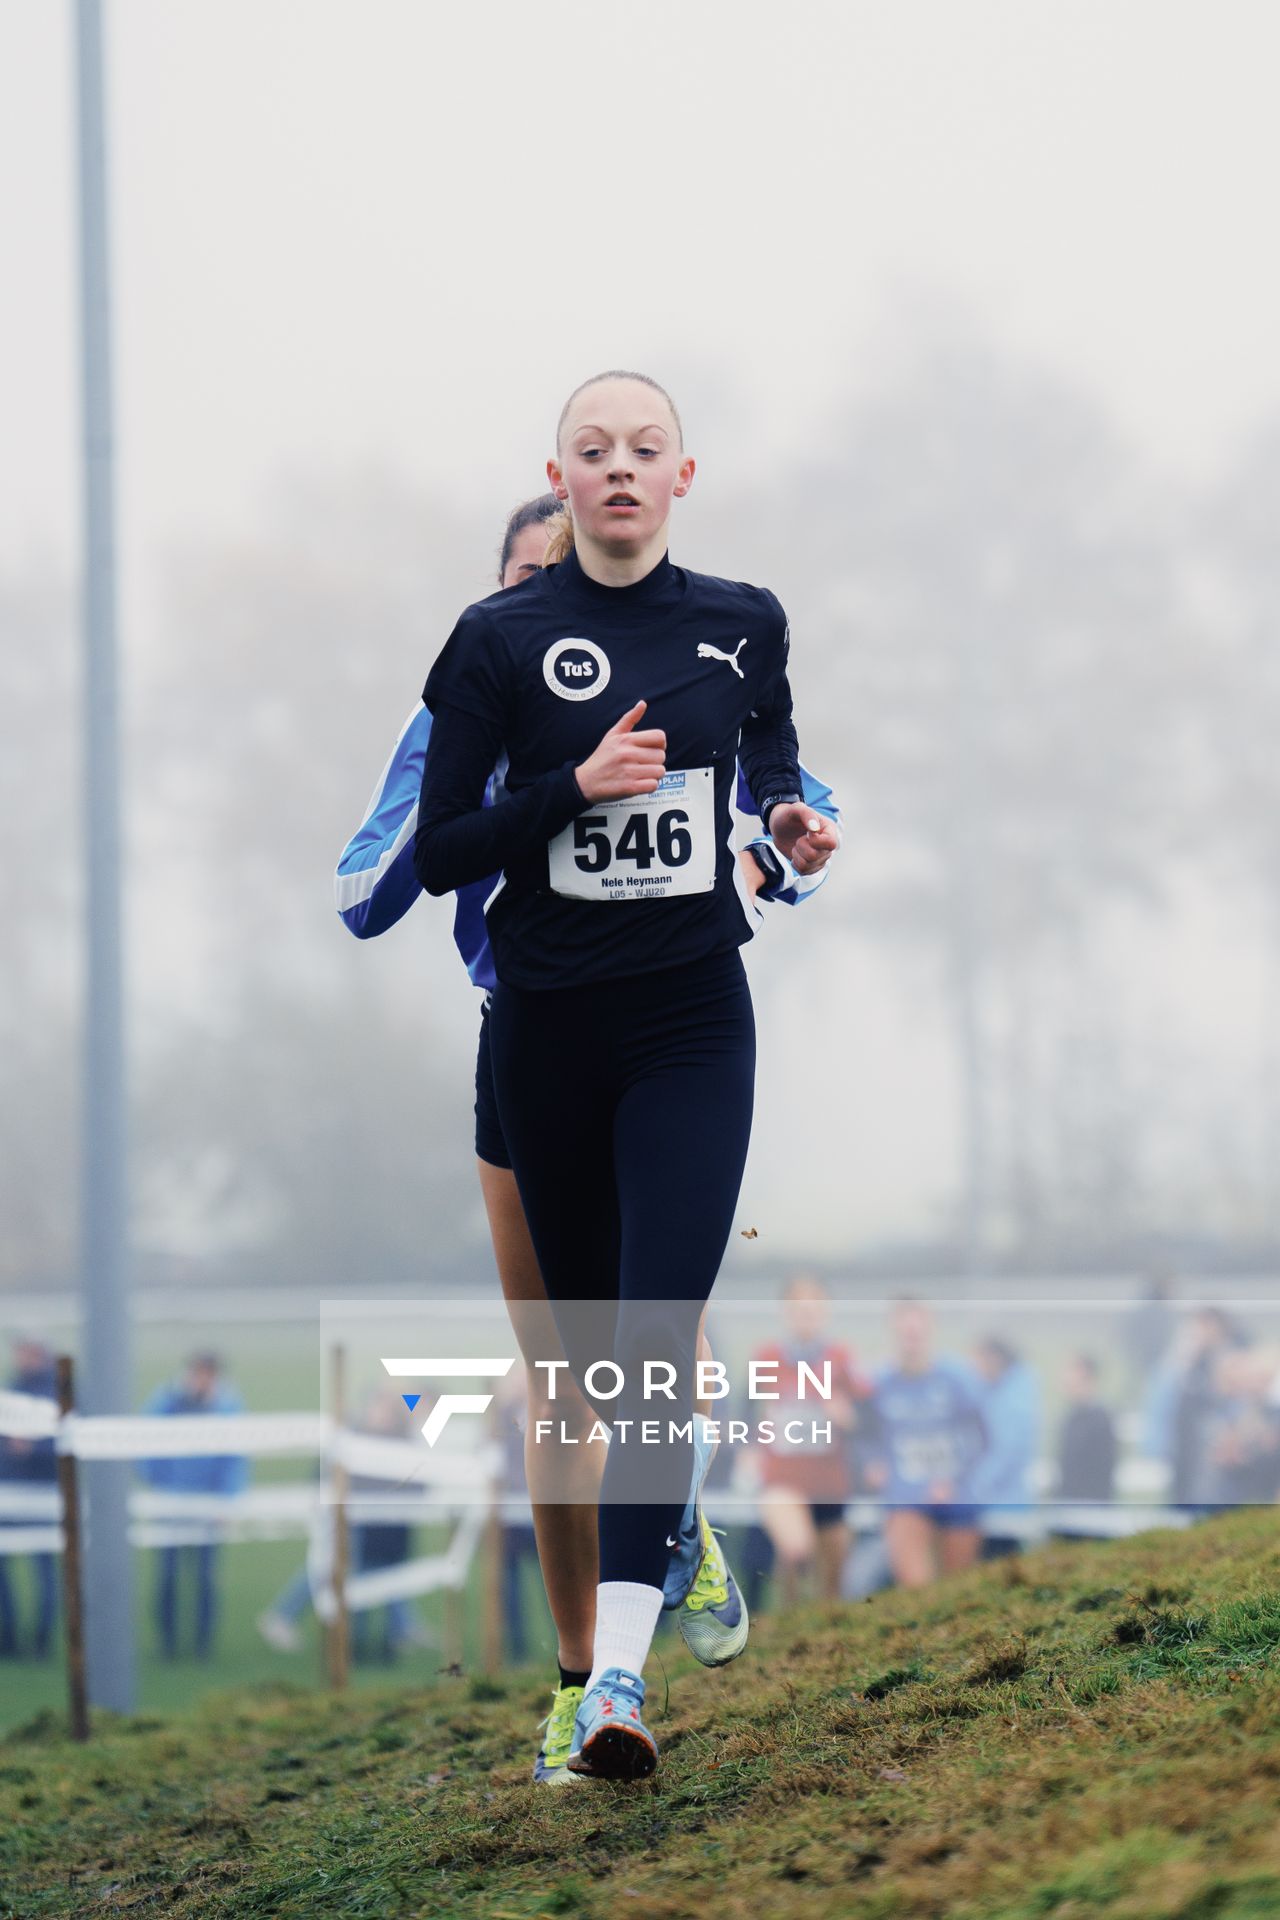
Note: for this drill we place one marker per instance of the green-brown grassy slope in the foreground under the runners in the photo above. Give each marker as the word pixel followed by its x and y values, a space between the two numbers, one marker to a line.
pixel 1093 1731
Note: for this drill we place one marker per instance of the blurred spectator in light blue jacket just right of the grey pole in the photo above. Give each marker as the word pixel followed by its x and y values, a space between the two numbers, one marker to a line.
pixel 199 1391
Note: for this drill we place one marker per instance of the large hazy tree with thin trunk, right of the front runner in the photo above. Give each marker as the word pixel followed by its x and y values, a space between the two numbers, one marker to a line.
pixel 999 677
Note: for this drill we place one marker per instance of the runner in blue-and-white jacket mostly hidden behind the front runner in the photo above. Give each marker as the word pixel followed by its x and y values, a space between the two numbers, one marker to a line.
pixel 375 888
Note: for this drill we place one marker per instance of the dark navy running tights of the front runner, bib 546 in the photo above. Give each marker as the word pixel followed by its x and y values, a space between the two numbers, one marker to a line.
pixel 627 1111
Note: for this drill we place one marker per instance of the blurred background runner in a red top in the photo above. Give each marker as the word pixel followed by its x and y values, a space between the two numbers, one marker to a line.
pixel 807 1485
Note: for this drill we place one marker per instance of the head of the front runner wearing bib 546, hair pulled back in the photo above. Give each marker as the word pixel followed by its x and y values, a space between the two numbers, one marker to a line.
pixel 621 464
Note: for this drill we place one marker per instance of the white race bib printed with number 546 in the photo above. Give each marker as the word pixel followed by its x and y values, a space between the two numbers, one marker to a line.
pixel 648 848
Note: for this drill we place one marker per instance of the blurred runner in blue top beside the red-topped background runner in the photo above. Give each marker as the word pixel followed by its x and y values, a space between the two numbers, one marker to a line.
pixel 932 1435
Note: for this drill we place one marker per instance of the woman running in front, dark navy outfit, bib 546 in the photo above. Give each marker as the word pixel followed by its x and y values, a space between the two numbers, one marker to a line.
pixel 621 1032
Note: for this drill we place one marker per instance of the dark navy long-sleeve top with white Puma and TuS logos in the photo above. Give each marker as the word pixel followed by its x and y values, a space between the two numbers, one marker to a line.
pixel 533 679
